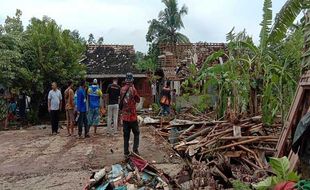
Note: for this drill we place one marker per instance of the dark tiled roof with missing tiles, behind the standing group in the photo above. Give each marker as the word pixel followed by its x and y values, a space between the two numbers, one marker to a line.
pixel 106 61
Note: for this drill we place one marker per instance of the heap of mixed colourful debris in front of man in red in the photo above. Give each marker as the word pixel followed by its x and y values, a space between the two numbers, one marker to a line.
pixel 136 173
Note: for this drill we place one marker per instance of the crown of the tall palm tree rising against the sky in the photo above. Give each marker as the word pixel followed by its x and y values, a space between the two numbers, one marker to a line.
pixel 165 28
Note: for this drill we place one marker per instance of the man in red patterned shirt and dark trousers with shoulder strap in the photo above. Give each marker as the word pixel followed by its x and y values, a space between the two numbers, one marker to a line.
pixel 129 99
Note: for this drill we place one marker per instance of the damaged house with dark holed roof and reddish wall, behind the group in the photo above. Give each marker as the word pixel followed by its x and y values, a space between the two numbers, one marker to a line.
pixel 105 62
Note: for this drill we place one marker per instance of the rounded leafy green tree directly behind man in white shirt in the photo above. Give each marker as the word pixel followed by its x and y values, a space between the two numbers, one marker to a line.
pixel 50 54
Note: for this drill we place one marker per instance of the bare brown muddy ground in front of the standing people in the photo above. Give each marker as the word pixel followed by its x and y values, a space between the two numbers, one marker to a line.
pixel 33 159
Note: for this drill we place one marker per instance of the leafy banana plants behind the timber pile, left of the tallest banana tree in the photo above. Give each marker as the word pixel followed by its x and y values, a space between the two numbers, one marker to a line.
pixel 231 79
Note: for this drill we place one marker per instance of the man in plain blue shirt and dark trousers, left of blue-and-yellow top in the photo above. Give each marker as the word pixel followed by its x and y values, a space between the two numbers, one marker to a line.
pixel 81 109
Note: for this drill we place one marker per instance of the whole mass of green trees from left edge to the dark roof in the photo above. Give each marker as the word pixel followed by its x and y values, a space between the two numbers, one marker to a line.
pixel 30 60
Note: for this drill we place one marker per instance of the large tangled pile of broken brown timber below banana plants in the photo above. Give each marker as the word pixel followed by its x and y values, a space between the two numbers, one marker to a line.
pixel 220 151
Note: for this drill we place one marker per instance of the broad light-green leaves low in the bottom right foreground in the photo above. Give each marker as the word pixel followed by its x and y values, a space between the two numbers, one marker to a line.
pixel 280 166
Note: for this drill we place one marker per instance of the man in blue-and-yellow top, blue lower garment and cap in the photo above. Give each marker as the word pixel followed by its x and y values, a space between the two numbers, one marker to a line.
pixel 94 95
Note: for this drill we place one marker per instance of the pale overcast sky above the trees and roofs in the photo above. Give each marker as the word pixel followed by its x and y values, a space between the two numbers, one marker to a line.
pixel 125 21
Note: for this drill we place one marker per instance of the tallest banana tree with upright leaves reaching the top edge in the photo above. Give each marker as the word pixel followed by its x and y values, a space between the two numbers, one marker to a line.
pixel 266 62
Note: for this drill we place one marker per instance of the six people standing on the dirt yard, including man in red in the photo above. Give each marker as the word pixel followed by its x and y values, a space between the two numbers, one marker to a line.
pixel 123 99
